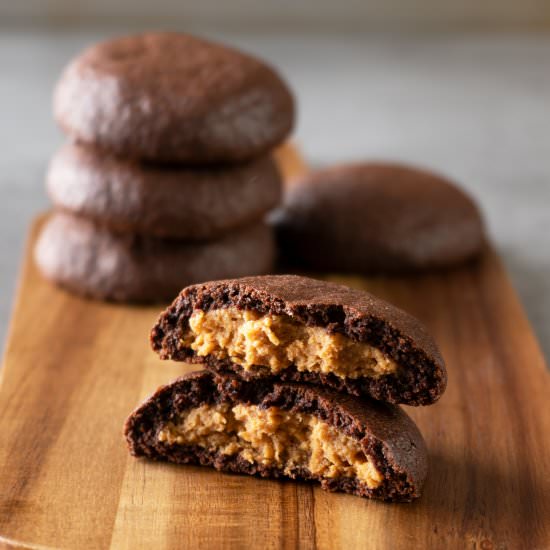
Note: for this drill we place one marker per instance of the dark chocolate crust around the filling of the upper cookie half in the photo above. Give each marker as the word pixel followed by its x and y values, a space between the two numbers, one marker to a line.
pixel 353 313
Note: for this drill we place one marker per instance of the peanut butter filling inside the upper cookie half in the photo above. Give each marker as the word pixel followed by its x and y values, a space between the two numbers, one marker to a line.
pixel 277 342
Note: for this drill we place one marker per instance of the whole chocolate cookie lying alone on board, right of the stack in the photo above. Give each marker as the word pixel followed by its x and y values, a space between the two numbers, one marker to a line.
pixel 377 218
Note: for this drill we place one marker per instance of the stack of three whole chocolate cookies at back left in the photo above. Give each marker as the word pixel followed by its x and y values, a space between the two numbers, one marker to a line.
pixel 169 174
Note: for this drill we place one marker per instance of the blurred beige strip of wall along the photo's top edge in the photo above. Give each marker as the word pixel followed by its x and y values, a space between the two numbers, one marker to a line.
pixel 367 14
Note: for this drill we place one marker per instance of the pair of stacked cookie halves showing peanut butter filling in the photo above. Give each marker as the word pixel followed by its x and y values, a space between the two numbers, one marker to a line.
pixel 304 380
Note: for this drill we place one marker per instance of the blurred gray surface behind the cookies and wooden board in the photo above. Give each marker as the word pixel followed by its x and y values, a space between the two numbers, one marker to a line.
pixel 474 105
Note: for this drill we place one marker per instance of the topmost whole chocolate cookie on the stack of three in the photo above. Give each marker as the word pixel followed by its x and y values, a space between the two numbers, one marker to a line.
pixel 171 97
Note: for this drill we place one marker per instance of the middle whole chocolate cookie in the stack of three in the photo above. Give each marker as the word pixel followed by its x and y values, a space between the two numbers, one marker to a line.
pixel 184 203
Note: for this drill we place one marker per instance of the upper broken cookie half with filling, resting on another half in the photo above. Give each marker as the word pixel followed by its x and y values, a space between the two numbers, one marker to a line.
pixel 299 329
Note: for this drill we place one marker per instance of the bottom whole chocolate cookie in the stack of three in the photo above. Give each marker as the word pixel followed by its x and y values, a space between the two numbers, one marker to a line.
pixel 92 261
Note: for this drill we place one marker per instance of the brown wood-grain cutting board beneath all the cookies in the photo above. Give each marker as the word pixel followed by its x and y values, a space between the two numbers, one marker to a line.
pixel 74 369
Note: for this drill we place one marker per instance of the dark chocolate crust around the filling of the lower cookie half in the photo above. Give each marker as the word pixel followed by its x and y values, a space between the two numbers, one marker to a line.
pixel 389 438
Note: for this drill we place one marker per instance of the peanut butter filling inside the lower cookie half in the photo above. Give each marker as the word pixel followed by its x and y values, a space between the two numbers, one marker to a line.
pixel 273 437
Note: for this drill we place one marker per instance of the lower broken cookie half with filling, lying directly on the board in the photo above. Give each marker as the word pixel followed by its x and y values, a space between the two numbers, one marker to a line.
pixel 284 430
